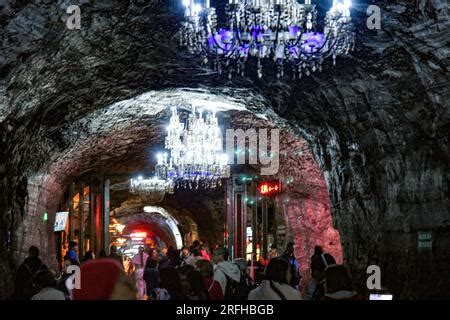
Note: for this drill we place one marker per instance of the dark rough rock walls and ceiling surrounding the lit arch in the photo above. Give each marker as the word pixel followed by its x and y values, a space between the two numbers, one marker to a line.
pixel 378 123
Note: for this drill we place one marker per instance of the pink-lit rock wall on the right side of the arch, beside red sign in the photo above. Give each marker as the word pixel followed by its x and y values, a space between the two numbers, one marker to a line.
pixel 305 203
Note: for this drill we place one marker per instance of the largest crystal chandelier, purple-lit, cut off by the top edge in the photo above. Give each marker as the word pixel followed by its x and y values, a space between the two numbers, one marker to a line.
pixel 283 30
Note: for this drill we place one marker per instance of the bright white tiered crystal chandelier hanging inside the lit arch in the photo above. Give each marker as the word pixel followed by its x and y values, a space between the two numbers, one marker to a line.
pixel 196 157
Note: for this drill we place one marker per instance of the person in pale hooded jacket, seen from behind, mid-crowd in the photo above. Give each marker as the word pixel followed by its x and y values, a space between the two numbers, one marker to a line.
pixel 224 269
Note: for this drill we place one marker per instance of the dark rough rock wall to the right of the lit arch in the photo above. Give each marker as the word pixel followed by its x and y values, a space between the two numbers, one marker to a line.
pixel 379 128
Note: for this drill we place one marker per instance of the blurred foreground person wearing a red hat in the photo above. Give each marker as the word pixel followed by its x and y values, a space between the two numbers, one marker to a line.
pixel 104 279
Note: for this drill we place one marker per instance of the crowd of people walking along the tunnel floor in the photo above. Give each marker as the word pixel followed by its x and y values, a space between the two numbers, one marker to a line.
pixel 192 273
